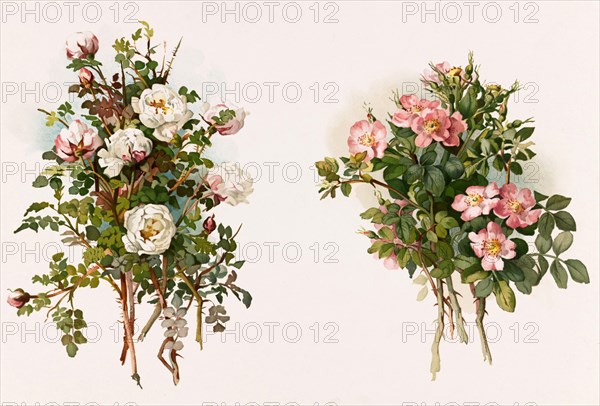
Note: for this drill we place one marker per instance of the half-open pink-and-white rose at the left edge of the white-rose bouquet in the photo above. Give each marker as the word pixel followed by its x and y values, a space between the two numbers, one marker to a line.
pixel 77 141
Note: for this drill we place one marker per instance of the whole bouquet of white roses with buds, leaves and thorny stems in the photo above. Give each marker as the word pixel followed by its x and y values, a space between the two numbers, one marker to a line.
pixel 132 187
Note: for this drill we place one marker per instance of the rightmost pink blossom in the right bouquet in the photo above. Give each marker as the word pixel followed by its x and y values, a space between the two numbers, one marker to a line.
pixel 517 206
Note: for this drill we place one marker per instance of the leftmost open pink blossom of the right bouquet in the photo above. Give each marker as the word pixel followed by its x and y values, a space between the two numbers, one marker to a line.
pixel 368 137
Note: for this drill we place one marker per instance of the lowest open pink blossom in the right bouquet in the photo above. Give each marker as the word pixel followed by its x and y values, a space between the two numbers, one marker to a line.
pixel 490 244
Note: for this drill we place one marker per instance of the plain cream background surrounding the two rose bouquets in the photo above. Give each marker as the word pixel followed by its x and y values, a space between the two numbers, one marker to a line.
pixel 368 53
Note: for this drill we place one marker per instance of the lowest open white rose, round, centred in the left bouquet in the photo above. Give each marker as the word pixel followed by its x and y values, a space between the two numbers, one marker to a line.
pixel 150 229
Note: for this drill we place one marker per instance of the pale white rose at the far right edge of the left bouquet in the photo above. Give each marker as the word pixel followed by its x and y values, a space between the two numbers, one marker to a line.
pixel 229 183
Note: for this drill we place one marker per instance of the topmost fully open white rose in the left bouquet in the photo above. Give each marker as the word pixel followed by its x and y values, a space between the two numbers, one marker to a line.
pixel 163 109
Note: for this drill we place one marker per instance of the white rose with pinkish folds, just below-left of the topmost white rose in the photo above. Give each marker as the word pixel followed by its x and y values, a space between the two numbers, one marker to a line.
pixel 122 148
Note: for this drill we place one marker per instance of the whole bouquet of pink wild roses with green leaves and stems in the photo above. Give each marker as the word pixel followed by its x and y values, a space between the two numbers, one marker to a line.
pixel 439 210
